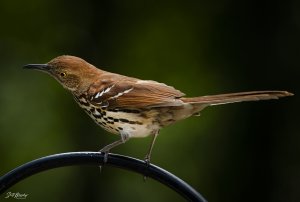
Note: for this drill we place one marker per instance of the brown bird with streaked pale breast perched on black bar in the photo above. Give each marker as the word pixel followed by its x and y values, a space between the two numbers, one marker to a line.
pixel 131 107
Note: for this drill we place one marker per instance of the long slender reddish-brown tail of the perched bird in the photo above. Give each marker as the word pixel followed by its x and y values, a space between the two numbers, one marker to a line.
pixel 201 102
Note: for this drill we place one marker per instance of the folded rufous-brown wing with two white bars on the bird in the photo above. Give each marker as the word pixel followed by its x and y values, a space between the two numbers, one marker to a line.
pixel 133 93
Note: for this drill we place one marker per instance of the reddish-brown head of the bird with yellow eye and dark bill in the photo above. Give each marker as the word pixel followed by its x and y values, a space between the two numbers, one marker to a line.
pixel 73 73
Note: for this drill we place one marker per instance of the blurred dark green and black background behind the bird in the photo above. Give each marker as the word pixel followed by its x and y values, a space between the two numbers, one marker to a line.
pixel 239 152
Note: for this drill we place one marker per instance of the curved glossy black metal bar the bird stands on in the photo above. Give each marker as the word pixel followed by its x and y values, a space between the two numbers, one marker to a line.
pixel 96 158
